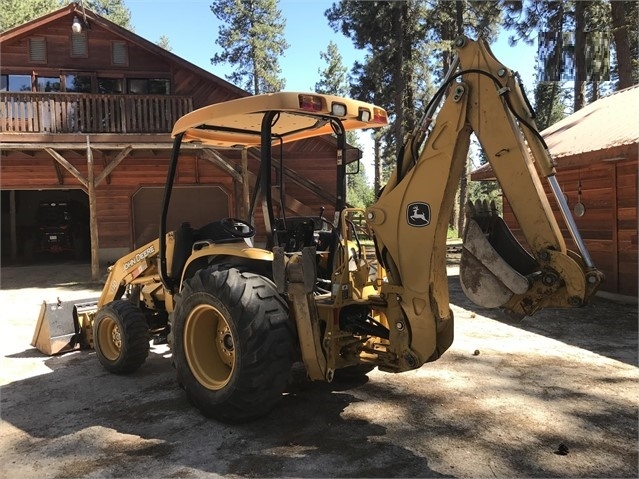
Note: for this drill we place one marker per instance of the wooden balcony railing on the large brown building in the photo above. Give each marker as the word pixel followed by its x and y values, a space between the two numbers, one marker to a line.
pixel 22 112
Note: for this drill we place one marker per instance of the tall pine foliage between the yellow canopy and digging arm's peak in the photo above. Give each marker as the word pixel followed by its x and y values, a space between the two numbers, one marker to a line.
pixel 408 47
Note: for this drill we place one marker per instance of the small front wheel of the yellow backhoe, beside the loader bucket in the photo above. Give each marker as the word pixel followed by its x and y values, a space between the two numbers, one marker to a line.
pixel 121 337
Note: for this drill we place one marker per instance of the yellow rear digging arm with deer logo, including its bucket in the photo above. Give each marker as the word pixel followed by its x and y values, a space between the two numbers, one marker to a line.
pixel 410 219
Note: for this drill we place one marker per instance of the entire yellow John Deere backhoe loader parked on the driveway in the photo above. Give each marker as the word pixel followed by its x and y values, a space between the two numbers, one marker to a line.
pixel 364 289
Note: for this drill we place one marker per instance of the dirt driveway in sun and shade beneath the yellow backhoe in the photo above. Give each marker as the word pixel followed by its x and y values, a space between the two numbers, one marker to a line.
pixel 555 395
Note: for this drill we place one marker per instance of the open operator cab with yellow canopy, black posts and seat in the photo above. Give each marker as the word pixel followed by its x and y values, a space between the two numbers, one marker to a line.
pixel 263 122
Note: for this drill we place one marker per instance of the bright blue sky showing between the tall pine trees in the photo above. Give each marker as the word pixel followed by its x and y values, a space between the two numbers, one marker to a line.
pixel 192 29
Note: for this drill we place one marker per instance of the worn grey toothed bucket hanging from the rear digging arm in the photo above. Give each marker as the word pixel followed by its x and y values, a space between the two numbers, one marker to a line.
pixel 493 265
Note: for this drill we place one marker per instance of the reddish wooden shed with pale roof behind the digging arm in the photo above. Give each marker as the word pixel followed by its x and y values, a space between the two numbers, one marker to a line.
pixel 596 150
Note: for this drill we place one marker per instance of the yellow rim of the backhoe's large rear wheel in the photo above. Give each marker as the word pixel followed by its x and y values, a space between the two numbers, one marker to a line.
pixel 209 347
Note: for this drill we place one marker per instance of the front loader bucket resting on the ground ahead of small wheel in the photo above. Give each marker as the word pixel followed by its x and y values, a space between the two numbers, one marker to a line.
pixel 58 329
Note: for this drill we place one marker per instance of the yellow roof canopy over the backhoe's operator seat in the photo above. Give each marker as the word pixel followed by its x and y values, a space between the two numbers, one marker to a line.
pixel 238 123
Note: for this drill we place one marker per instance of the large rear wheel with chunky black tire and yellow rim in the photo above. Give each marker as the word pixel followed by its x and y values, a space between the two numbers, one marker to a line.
pixel 232 343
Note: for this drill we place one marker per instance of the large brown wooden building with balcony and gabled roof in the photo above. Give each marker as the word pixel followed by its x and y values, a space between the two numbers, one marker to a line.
pixel 86 111
